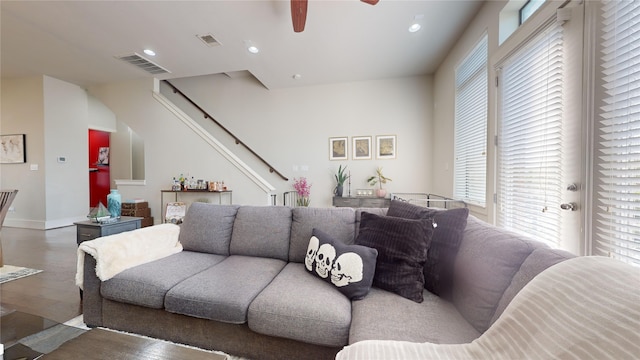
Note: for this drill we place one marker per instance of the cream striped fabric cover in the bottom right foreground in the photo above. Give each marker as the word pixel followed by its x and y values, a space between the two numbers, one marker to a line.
pixel 581 308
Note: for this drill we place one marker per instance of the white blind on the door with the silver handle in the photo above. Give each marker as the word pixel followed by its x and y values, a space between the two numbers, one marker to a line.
pixel 530 138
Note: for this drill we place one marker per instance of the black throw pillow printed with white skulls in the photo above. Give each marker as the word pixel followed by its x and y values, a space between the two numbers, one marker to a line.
pixel 350 268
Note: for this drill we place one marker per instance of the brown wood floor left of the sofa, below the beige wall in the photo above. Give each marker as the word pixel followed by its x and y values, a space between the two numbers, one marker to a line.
pixel 52 293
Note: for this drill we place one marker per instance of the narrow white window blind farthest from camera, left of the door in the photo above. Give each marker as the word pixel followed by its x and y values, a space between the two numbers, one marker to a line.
pixel 470 139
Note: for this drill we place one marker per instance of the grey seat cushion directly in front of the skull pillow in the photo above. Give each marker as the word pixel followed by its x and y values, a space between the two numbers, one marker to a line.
pixel 300 306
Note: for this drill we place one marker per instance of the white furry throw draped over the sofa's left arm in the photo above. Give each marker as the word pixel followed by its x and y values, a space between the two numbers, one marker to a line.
pixel 119 252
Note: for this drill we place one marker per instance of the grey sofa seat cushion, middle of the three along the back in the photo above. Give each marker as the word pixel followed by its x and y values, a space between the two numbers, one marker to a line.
pixel 223 292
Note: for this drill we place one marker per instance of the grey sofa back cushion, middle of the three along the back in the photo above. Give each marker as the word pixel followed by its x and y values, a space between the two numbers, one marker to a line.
pixel 262 231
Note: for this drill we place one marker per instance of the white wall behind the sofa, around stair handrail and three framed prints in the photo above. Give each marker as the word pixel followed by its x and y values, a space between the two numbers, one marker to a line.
pixel 290 128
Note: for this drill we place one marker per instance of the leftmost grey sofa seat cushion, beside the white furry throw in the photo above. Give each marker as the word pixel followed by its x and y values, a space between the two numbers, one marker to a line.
pixel 147 284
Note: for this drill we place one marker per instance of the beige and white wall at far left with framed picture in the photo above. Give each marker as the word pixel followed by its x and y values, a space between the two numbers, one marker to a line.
pixel 53 115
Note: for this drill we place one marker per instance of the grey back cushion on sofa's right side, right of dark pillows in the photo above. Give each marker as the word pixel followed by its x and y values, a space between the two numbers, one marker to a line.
pixel 487 261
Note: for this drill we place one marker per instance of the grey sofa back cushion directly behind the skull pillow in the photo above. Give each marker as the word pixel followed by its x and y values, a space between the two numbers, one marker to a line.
pixel 336 222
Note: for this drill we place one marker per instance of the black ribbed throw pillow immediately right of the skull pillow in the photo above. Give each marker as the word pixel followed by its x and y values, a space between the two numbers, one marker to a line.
pixel 402 251
